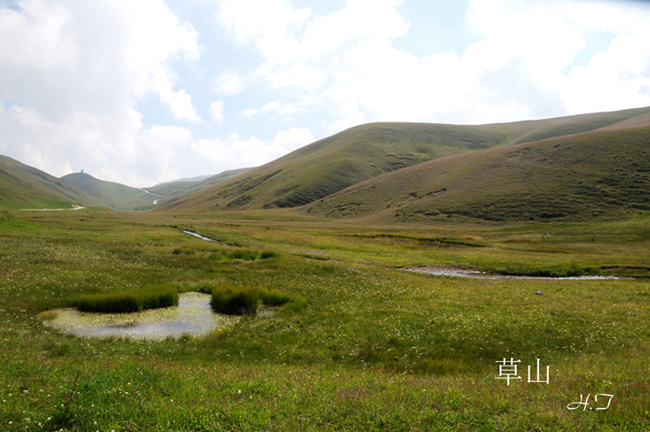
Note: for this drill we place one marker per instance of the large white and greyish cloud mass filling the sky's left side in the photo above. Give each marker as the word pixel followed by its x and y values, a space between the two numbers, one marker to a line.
pixel 71 75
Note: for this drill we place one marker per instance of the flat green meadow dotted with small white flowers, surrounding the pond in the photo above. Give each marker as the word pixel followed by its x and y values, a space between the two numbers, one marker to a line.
pixel 367 345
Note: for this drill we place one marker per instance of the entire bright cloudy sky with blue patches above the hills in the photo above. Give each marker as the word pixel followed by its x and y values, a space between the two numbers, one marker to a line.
pixel 141 92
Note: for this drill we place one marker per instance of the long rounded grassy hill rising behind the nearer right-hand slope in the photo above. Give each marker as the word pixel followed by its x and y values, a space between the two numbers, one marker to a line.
pixel 363 152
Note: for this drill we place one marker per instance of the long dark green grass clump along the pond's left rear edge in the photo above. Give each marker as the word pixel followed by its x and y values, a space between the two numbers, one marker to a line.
pixel 128 301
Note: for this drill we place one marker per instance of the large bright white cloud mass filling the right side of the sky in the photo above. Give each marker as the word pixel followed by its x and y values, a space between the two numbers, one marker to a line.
pixel 346 62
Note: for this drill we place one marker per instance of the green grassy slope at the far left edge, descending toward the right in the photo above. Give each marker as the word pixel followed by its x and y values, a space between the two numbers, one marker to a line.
pixel 25 187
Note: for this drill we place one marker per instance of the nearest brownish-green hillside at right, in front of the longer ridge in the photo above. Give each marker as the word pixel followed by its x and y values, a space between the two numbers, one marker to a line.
pixel 596 174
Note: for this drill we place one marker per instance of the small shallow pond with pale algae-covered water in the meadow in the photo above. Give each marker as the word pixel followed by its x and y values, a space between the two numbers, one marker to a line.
pixel 193 316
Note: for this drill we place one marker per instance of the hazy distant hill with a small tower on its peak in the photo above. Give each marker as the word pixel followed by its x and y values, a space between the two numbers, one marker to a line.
pixel 116 196
